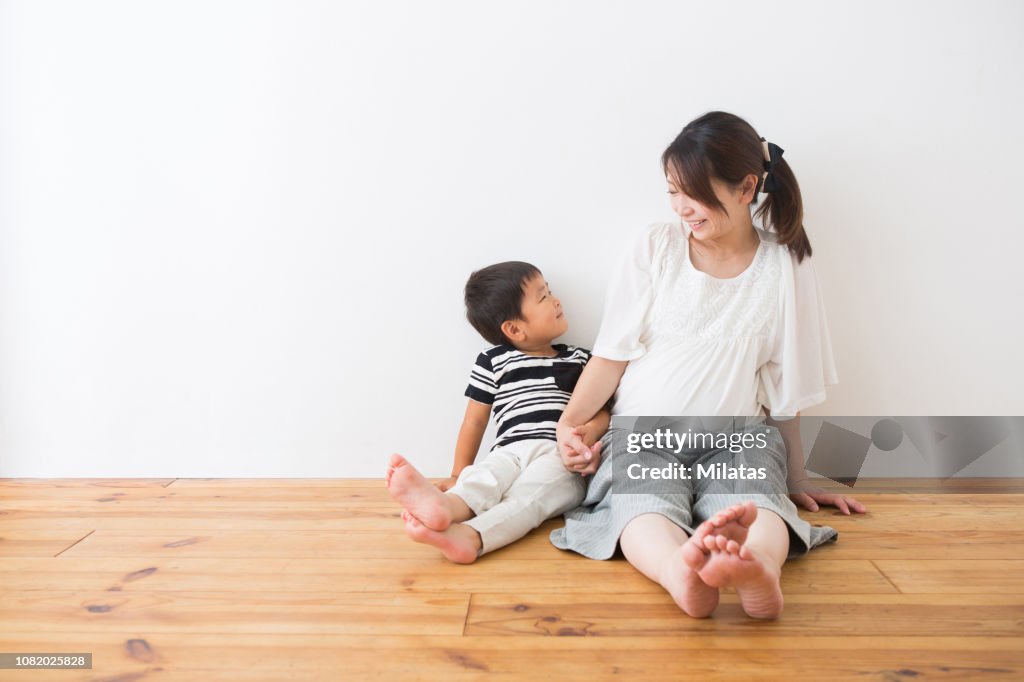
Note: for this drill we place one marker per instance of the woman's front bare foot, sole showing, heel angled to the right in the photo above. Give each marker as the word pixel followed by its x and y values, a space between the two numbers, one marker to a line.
pixel 721 562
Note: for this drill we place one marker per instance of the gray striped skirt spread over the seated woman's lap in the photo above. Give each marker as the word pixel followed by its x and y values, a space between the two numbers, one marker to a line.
pixel 593 528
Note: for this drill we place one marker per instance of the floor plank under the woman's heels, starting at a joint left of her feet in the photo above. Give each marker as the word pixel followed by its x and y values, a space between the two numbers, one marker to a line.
pixel 657 615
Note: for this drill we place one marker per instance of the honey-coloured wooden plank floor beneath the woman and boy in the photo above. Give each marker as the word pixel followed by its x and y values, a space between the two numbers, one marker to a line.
pixel 315 580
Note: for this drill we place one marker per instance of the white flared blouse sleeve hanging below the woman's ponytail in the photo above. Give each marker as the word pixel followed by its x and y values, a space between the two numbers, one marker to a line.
pixel 801 364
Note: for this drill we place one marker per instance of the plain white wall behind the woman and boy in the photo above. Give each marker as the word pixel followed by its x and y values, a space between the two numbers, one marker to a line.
pixel 234 235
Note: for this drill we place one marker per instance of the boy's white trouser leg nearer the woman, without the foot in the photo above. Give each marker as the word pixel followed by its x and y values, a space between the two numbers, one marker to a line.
pixel 545 489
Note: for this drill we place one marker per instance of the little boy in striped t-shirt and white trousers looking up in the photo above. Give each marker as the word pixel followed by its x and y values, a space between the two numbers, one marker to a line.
pixel 528 381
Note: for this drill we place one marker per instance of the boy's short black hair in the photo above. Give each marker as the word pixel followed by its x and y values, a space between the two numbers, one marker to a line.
pixel 494 294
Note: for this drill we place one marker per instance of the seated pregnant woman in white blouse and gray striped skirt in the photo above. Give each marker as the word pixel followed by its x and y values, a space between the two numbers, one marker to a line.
pixel 710 317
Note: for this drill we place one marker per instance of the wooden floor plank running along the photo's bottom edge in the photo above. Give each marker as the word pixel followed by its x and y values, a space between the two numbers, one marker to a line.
pixel 231 657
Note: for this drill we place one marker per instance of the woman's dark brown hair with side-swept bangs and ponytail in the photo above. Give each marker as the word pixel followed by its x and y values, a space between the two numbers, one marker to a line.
pixel 726 147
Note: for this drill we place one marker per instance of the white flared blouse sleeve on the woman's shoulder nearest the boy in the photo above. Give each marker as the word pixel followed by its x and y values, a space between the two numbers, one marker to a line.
pixel 628 300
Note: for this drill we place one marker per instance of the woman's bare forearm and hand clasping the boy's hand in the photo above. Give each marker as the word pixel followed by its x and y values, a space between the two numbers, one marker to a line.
pixel 596 386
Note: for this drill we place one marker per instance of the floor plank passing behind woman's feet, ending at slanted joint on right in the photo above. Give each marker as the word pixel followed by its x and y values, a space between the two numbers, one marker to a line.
pixel 301 576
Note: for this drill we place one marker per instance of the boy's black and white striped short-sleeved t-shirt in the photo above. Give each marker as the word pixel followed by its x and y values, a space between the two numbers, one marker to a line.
pixel 528 394
